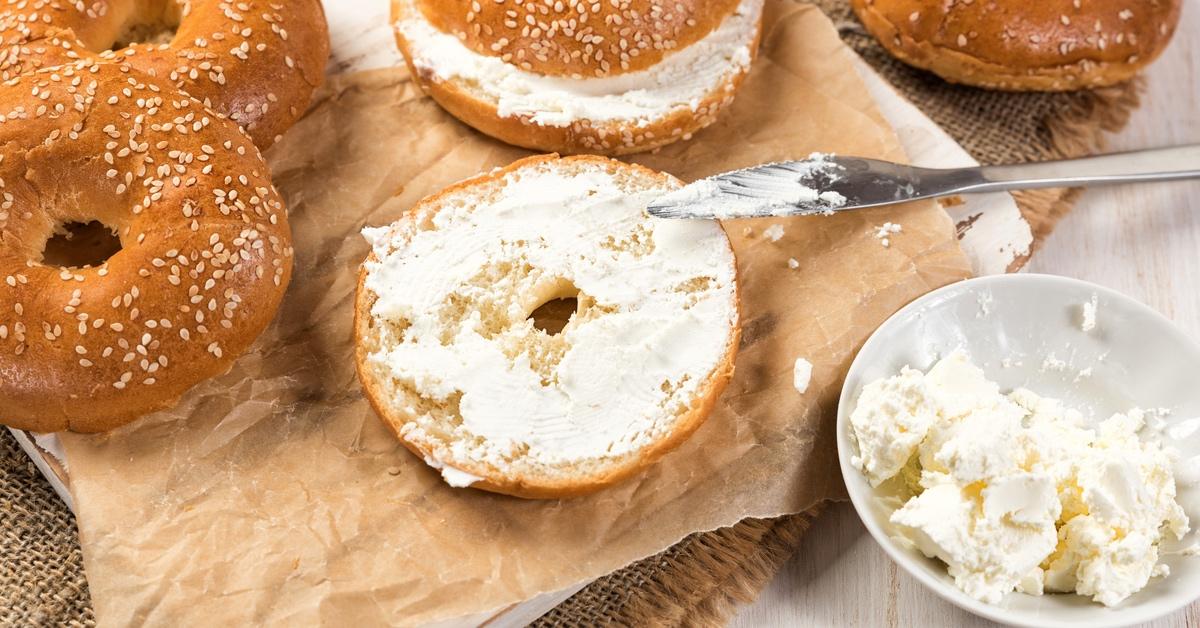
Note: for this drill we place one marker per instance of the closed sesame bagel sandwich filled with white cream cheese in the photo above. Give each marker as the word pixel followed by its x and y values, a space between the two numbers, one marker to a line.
pixel 611 79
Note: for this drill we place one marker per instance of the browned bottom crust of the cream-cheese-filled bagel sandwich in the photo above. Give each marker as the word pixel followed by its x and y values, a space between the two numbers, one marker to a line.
pixel 609 139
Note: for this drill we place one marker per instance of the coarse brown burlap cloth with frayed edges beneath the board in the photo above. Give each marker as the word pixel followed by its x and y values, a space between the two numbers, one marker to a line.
pixel 700 581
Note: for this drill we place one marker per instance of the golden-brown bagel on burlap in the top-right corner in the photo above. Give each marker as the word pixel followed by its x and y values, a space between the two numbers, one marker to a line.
pixel 1023 45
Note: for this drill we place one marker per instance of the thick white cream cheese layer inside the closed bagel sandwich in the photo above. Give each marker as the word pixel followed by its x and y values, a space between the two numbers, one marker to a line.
pixel 682 80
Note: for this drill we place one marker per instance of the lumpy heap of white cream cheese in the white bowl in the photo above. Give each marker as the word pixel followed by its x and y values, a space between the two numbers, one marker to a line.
pixel 1015 493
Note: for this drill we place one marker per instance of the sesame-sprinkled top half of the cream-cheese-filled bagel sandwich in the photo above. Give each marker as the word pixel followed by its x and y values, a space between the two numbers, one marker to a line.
pixel 578 38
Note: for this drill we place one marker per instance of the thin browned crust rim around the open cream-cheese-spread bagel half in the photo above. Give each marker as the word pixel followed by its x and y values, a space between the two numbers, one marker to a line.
pixel 537 488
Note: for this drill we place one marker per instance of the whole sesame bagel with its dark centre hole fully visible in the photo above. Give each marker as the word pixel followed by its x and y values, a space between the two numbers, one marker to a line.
pixel 206 248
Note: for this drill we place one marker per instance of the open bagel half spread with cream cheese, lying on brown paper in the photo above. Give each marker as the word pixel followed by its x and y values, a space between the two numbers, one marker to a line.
pixel 452 356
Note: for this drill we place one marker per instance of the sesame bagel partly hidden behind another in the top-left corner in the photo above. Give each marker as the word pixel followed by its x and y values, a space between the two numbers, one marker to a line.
pixel 256 62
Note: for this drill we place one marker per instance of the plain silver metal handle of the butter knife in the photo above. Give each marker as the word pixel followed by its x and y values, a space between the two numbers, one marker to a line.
pixel 1156 165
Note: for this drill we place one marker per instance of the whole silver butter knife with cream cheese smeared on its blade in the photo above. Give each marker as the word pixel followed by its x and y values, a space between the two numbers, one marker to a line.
pixel 825 184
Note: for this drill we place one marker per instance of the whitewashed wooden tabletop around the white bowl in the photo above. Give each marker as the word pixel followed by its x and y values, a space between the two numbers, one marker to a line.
pixel 1142 241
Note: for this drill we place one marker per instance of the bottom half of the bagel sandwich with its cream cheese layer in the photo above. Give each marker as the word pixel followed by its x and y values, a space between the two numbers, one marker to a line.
pixel 635 111
